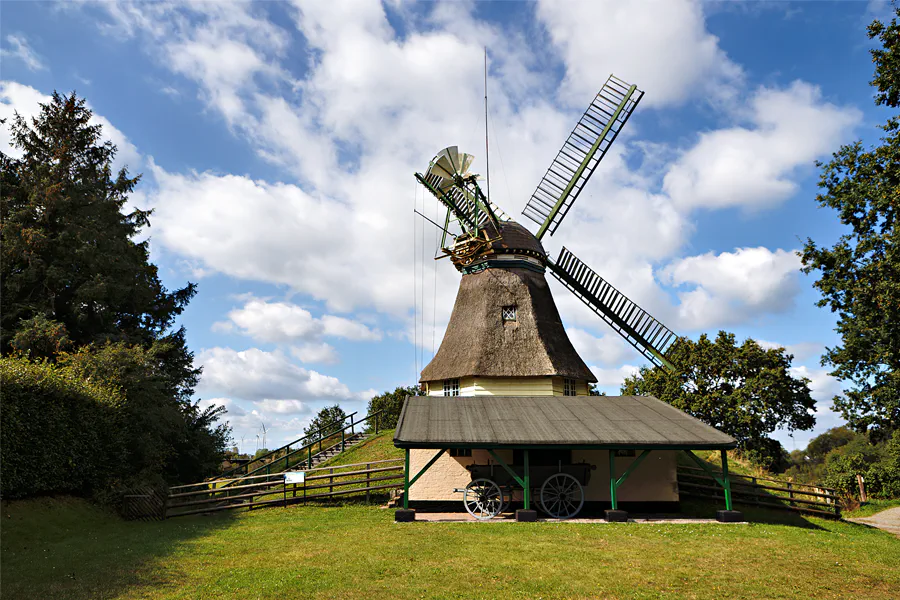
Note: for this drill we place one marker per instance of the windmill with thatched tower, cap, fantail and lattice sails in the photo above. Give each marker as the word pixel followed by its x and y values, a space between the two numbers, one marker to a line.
pixel 490 241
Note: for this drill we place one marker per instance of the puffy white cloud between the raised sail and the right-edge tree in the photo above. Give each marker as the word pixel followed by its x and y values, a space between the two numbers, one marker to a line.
pixel 757 166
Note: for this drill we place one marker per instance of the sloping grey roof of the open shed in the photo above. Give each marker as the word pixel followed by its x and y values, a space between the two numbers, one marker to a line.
pixel 551 421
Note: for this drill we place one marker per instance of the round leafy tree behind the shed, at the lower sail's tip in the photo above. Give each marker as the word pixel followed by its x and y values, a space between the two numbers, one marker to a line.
pixel 745 391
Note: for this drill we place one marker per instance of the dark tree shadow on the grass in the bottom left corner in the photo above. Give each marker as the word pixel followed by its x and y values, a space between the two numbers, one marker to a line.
pixel 69 548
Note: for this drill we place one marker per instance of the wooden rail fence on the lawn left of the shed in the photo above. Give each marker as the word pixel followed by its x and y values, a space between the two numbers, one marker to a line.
pixel 253 491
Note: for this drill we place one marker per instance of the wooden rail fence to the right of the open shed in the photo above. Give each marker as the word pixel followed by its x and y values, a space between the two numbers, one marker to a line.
pixel 747 489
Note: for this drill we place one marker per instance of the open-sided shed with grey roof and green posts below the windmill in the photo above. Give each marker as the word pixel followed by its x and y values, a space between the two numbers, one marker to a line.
pixel 525 441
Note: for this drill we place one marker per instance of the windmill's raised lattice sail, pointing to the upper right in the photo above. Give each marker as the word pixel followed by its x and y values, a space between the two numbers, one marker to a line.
pixel 580 155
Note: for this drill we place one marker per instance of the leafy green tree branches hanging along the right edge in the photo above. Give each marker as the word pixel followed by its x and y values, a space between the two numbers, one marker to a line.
pixel 859 277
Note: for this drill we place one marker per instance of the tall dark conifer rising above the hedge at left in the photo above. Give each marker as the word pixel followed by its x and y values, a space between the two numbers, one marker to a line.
pixel 69 254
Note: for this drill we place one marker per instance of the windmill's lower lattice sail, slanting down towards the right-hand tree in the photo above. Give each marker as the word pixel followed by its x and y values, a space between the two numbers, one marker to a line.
pixel 650 337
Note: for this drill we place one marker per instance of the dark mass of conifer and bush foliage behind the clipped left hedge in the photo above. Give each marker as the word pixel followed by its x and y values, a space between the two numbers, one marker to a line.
pixel 79 289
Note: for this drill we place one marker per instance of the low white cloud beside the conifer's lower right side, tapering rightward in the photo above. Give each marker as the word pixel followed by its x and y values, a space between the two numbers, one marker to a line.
pixel 256 375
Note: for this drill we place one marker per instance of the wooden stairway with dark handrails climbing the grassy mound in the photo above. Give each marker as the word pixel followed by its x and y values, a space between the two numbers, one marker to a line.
pixel 320 437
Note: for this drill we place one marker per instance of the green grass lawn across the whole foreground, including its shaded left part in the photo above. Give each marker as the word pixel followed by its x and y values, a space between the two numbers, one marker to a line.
pixel 69 549
